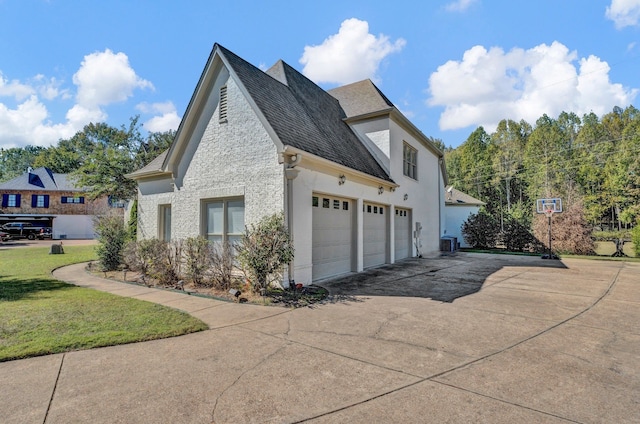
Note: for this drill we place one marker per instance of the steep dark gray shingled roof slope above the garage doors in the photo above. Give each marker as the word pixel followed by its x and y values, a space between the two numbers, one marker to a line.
pixel 303 115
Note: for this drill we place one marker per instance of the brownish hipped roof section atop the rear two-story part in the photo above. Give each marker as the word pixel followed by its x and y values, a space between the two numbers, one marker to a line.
pixel 361 98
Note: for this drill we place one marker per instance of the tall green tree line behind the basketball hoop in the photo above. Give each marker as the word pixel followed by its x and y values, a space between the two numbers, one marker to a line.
pixel 592 163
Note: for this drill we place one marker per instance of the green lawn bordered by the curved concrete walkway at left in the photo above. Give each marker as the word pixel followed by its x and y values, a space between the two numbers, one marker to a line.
pixel 40 315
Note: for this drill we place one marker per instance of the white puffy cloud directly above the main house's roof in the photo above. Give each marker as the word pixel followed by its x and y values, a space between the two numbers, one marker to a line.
pixel 353 54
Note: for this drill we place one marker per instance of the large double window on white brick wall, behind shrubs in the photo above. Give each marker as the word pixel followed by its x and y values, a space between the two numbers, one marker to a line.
pixel 224 220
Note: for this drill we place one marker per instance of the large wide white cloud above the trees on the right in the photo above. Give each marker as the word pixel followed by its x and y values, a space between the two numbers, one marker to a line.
pixel 487 86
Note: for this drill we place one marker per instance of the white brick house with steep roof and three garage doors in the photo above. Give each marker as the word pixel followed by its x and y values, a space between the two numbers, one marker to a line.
pixel 352 175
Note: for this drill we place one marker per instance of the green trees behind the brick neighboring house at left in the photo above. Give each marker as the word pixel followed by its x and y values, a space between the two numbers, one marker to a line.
pixel 98 157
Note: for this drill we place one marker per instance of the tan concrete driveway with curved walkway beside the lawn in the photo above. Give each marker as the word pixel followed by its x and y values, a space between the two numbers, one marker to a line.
pixel 465 338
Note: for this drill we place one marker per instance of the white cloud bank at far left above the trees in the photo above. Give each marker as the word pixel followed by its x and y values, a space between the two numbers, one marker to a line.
pixel 103 78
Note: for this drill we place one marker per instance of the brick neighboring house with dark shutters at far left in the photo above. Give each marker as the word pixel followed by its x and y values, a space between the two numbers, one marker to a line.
pixel 44 198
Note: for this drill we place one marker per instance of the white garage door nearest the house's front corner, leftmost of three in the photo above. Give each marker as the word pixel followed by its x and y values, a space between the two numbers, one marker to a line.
pixel 332 236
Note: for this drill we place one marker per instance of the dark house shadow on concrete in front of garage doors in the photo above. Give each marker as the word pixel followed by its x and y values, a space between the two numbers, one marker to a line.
pixel 444 278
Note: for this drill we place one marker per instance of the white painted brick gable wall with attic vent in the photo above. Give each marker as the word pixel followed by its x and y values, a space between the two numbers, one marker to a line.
pixel 236 158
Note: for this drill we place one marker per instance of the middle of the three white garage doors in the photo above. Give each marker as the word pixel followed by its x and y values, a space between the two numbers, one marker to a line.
pixel 375 235
